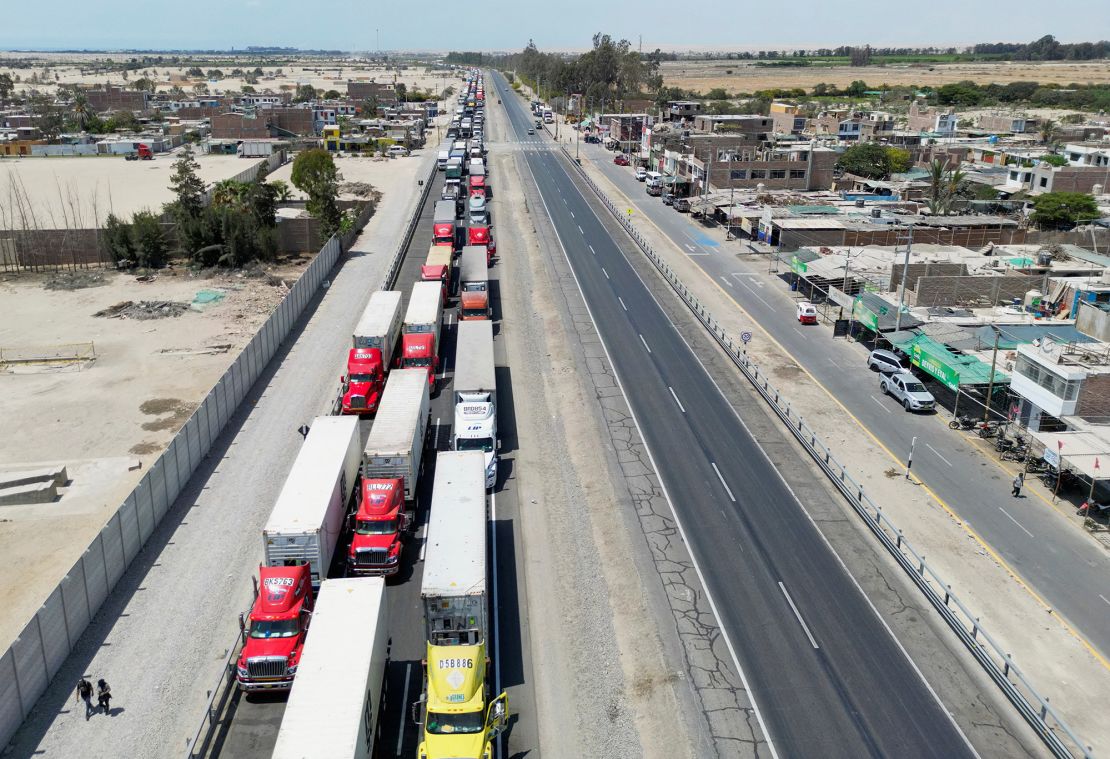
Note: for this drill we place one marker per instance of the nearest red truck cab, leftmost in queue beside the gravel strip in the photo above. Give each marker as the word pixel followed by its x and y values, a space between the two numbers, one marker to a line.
pixel 276 630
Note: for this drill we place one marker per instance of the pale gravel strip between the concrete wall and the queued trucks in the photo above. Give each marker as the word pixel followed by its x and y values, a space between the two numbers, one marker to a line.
pixel 160 639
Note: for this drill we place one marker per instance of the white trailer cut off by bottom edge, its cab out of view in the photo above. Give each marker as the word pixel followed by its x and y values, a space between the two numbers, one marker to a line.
pixel 336 706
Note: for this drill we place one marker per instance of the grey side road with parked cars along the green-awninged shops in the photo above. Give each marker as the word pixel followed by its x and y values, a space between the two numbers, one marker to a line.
pixel 1062 564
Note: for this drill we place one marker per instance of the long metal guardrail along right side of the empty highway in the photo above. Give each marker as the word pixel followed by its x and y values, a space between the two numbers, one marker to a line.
pixel 1000 666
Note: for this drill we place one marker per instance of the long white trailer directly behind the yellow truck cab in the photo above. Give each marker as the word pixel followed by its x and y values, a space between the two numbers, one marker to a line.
pixel 453 591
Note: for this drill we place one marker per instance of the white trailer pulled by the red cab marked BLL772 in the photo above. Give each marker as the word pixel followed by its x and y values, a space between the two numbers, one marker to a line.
pixel 397 440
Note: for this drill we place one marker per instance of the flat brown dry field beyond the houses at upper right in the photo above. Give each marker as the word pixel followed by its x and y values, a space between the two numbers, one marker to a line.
pixel 749 78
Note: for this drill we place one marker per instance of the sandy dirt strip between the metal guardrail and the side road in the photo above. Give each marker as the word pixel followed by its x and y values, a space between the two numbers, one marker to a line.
pixel 1059 664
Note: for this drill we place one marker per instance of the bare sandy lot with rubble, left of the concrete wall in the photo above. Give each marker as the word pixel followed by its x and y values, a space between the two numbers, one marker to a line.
pixel 109 419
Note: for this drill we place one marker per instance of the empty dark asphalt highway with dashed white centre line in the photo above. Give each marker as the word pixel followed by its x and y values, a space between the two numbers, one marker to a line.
pixel 828 676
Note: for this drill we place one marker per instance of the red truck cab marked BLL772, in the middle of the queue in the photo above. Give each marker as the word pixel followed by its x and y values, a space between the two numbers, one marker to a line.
pixel 376 543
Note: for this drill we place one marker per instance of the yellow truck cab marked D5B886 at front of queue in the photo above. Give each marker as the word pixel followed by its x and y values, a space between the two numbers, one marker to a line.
pixel 458 718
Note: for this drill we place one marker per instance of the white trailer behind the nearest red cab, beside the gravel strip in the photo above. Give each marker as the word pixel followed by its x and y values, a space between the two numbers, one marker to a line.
pixel 307 521
